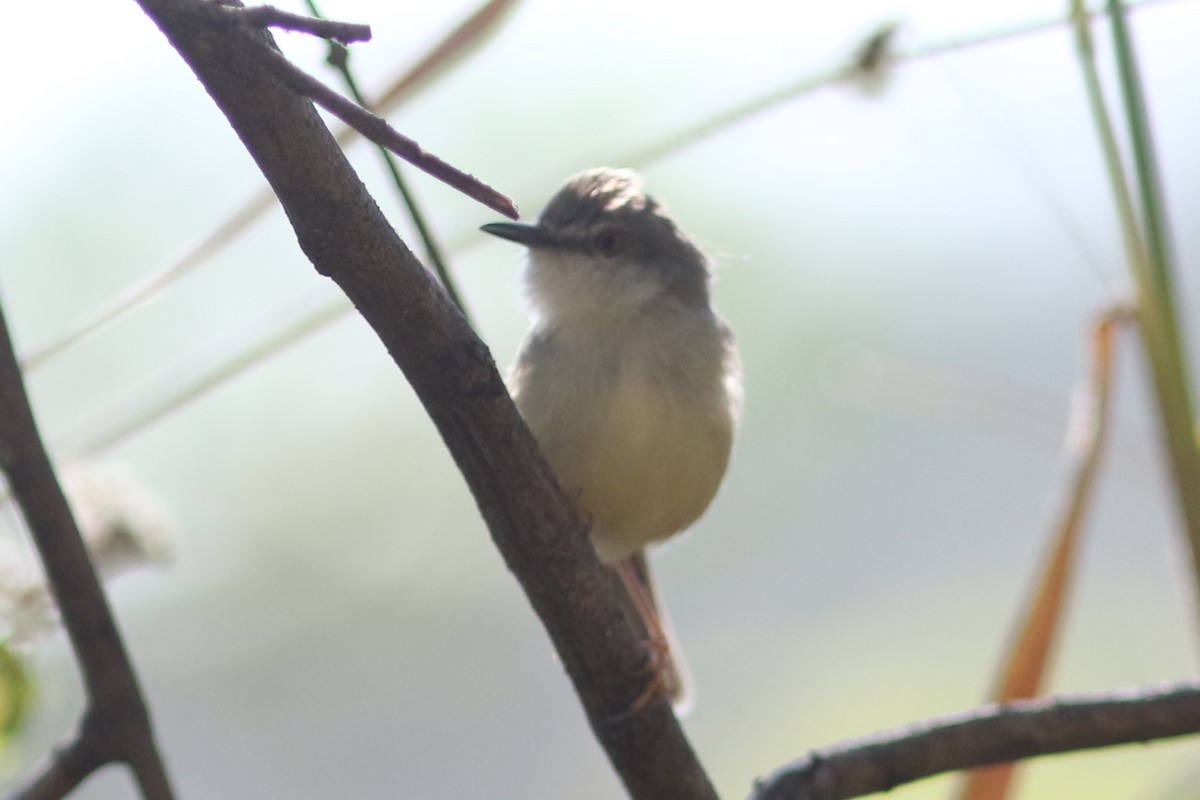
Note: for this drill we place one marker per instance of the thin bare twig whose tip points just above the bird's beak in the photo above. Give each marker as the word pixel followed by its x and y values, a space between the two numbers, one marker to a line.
pixel 379 131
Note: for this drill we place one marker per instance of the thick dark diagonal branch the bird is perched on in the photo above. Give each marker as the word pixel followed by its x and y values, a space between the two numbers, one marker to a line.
pixel 535 526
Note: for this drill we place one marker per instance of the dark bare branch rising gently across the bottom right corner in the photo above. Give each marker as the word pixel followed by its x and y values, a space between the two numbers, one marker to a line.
pixel 992 735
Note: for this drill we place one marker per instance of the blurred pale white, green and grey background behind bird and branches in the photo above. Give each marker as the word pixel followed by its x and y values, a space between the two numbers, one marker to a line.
pixel 911 309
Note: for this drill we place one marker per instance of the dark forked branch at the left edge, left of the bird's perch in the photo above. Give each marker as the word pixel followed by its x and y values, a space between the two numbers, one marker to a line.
pixel 117 725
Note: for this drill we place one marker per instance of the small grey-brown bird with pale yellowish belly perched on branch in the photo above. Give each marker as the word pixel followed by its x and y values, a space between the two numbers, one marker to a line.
pixel 629 381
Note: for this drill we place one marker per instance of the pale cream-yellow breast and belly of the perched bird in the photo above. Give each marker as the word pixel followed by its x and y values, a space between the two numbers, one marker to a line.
pixel 645 450
